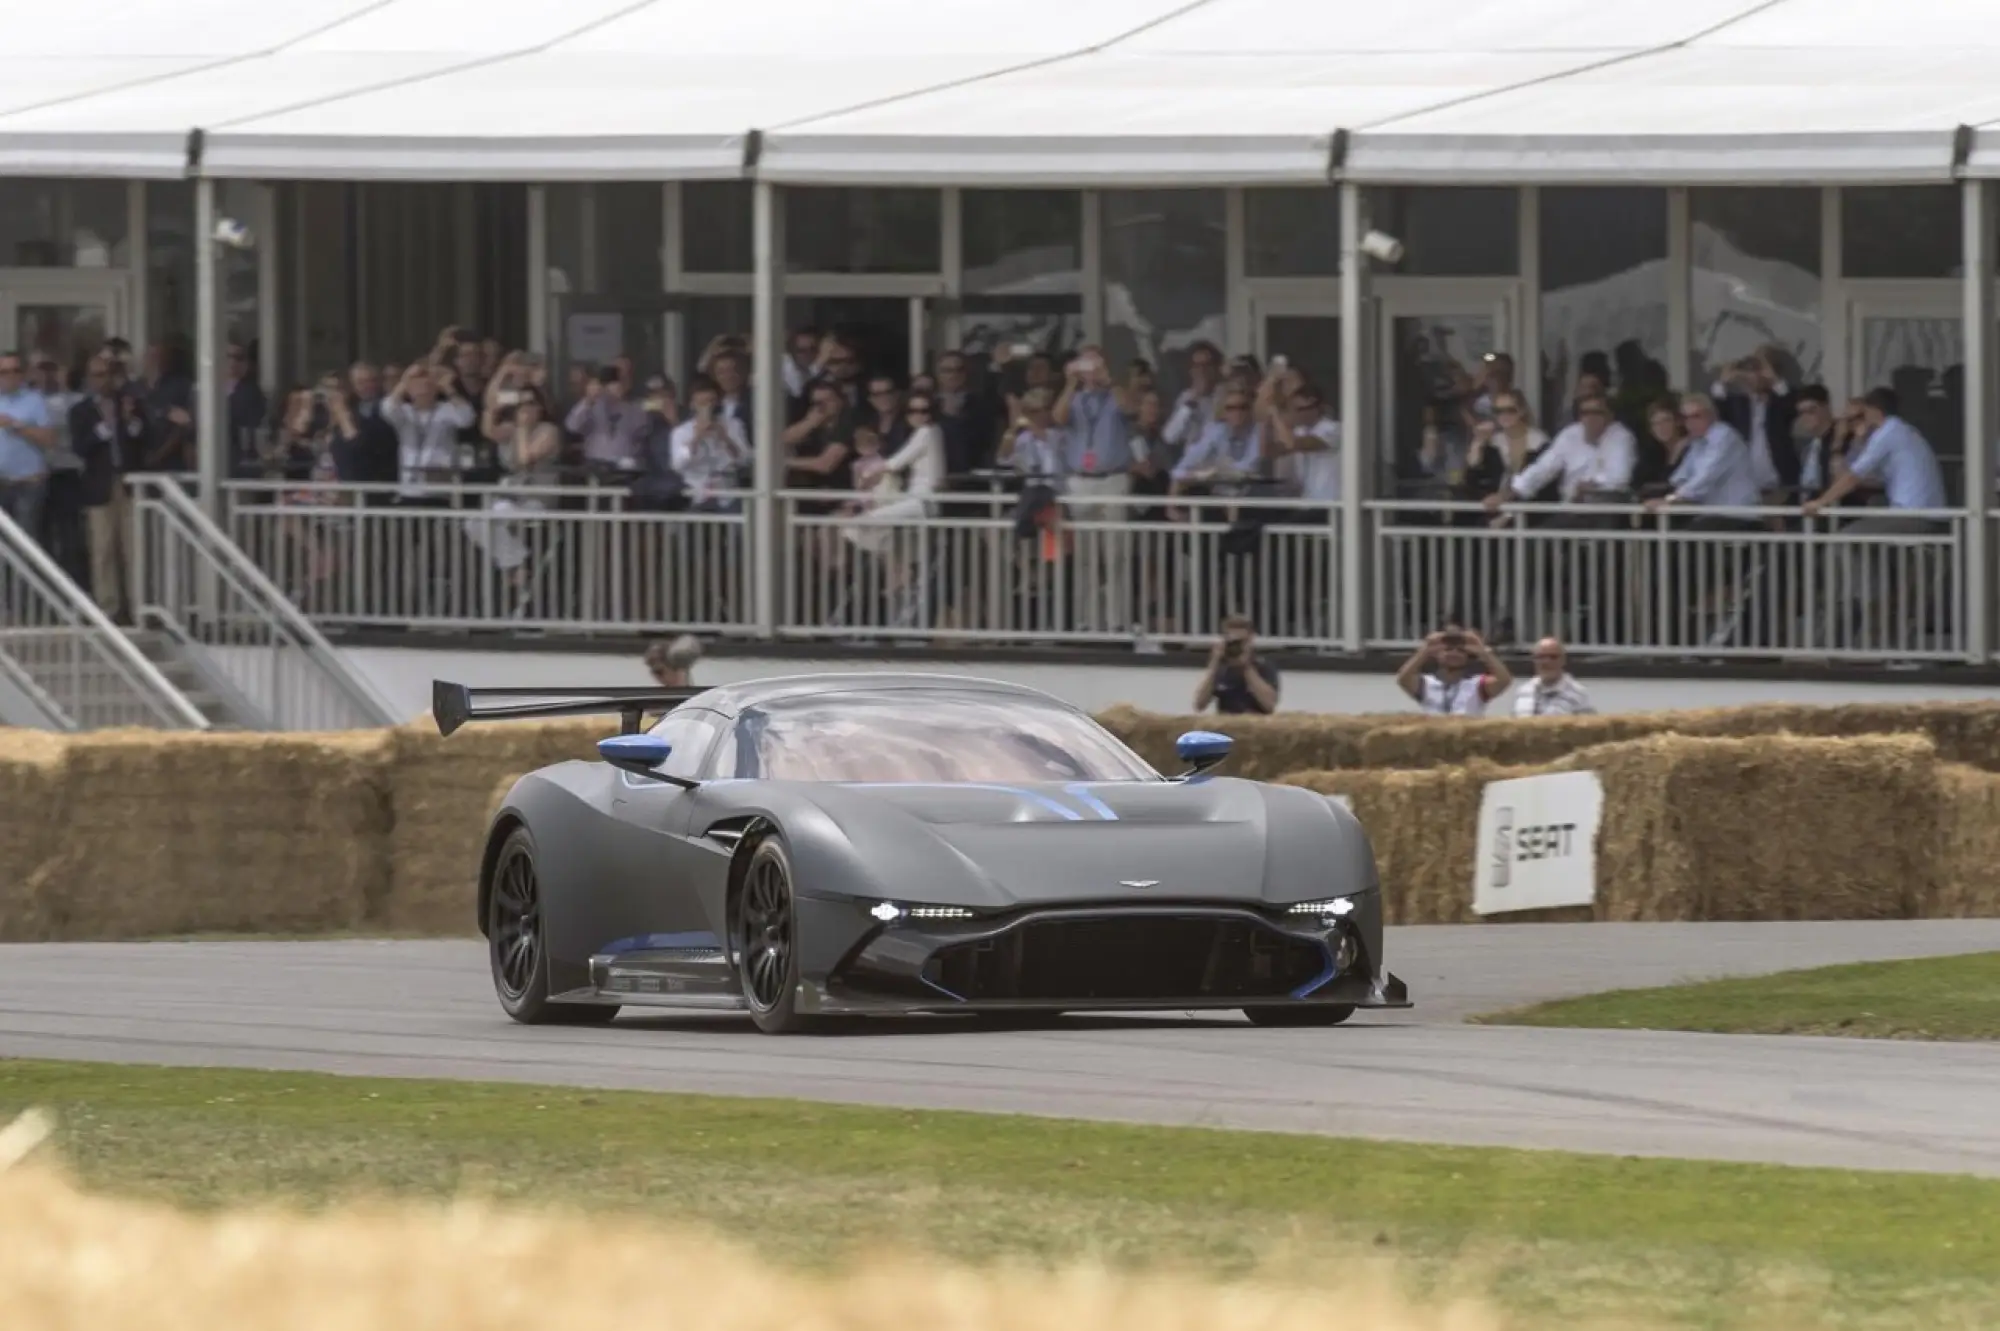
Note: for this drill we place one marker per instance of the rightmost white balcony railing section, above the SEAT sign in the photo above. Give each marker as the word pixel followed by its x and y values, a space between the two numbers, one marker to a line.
pixel 1701 583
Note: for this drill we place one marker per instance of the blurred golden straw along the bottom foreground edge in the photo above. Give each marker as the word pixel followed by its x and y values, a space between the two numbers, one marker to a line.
pixel 81 1260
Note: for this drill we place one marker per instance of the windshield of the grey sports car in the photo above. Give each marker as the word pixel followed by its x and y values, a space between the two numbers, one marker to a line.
pixel 929 736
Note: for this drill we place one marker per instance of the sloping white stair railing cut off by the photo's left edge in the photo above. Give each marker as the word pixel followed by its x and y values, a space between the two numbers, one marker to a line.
pixel 71 665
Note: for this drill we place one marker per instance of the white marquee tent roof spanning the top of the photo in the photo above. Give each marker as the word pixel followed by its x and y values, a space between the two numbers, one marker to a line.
pixel 1025 93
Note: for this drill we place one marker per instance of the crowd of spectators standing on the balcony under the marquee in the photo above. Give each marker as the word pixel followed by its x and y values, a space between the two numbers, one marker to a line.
pixel 1065 445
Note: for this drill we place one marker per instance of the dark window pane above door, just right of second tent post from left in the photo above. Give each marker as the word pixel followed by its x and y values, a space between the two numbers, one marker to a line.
pixel 851 229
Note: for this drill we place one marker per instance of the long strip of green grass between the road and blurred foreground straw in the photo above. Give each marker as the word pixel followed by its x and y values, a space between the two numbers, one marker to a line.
pixel 1555 1238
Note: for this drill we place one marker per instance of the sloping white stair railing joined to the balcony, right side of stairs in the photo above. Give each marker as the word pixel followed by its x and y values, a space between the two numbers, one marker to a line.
pixel 235 625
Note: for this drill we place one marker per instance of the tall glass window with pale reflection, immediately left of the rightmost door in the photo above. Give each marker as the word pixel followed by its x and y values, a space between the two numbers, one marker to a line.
pixel 1757 281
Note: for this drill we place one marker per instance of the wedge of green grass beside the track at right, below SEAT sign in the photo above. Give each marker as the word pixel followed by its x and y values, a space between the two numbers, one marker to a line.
pixel 1933 998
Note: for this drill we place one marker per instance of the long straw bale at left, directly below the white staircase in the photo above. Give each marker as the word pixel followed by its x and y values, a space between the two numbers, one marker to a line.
pixel 217 834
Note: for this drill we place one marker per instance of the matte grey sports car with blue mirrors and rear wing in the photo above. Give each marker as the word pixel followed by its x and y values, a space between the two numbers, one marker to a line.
pixel 869 844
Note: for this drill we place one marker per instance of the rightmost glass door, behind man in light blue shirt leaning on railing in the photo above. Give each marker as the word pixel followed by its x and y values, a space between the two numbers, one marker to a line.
pixel 1915 345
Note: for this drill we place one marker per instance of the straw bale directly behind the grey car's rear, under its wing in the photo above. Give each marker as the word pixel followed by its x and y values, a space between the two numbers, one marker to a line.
pixel 443 792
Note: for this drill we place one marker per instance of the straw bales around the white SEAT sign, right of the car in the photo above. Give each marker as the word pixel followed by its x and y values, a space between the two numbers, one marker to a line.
pixel 1765 828
